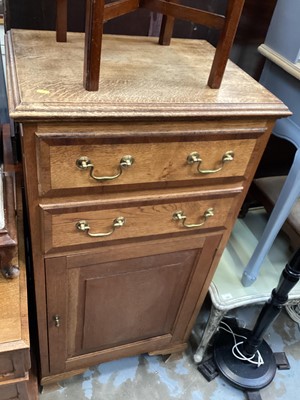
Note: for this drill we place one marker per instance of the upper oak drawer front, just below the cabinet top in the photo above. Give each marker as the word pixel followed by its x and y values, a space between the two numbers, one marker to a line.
pixel 156 163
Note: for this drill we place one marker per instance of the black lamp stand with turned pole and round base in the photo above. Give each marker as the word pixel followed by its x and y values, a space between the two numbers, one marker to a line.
pixel 244 374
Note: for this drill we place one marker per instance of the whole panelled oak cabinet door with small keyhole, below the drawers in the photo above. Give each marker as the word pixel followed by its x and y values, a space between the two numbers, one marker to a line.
pixel 124 300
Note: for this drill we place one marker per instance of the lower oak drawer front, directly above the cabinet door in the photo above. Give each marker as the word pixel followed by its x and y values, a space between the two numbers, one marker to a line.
pixel 150 219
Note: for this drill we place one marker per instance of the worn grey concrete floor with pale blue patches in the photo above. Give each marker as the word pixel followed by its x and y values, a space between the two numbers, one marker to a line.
pixel 154 378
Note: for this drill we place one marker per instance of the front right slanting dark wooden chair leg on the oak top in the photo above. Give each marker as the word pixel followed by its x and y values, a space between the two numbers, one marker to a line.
pixel 234 11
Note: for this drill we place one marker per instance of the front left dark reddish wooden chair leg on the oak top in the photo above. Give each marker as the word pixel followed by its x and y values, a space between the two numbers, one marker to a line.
pixel 93 41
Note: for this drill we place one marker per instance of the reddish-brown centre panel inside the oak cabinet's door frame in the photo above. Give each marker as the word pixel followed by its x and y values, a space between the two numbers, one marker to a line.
pixel 136 300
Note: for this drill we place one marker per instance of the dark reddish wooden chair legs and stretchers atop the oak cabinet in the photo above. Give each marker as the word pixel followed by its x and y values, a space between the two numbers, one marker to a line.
pixel 96 15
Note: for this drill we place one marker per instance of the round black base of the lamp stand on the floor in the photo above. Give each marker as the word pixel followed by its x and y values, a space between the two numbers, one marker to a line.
pixel 242 374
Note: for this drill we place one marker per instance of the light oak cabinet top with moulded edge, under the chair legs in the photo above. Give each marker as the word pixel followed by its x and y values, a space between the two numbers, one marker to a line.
pixel 138 78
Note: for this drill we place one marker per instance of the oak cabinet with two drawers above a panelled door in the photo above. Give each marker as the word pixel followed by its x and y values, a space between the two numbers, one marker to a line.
pixel 132 191
